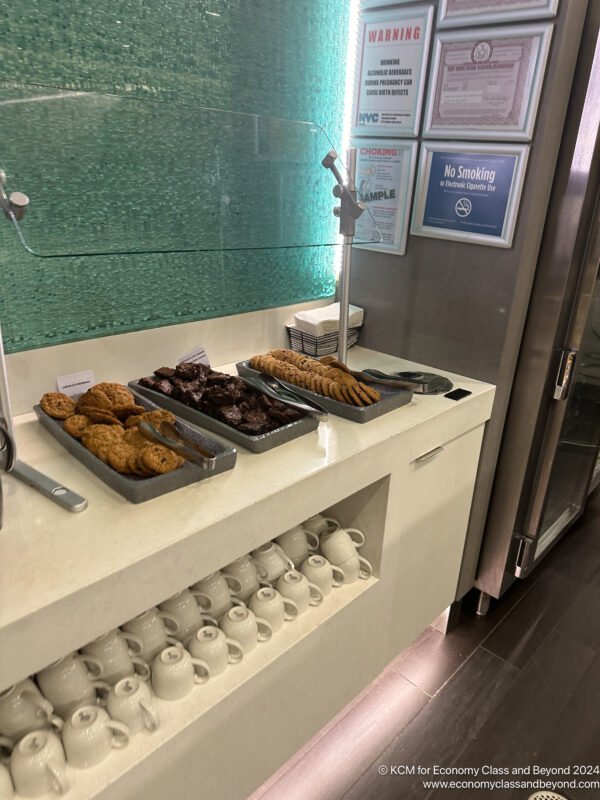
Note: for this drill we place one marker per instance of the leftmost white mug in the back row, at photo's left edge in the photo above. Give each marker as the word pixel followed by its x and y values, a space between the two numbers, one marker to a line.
pixel 23 709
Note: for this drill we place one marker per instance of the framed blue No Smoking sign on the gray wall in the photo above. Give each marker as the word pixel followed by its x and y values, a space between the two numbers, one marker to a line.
pixel 469 192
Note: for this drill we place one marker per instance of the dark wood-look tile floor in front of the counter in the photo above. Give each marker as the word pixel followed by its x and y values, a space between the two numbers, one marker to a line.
pixel 516 689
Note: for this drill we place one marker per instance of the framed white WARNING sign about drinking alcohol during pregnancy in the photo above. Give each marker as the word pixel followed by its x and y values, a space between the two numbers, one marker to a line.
pixel 390 71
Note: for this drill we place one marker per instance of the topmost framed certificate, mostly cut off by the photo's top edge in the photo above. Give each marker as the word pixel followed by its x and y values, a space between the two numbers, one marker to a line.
pixel 458 13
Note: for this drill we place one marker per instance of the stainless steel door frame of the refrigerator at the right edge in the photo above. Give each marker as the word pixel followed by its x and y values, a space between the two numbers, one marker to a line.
pixel 555 318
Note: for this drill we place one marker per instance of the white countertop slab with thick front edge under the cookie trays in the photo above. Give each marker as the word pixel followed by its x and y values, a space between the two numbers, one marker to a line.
pixel 61 572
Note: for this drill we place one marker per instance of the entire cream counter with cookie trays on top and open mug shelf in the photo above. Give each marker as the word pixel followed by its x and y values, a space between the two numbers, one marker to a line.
pixel 67 578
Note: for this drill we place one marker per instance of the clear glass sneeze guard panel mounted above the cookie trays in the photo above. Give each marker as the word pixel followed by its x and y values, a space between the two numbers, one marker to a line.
pixel 108 174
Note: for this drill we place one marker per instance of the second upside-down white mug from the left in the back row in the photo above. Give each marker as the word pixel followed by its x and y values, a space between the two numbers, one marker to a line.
pixel 67 683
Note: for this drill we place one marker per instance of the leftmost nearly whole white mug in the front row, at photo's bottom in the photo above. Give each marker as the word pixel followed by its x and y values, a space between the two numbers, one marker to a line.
pixel 37 765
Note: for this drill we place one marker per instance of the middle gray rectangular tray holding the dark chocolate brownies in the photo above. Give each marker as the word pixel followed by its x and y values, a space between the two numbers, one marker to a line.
pixel 257 444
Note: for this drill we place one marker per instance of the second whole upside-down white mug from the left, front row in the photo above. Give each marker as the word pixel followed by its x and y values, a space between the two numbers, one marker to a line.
pixel 90 734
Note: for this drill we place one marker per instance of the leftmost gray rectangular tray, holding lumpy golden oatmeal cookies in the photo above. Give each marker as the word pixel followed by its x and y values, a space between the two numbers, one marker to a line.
pixel 137 489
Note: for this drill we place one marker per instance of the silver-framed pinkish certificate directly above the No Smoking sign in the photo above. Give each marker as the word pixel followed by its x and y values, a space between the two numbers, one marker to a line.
pixel 486 83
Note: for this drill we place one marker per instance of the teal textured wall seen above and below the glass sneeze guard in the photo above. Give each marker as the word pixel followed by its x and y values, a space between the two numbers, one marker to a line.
pixel 282 58
